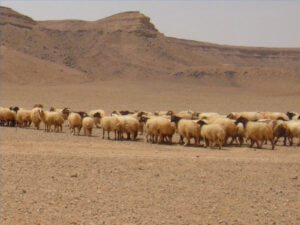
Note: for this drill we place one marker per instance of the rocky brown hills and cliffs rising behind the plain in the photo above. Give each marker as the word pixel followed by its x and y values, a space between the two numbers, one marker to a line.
pixel 127 45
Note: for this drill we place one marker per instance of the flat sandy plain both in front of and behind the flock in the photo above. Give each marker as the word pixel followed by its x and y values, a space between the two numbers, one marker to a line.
pixel 57 178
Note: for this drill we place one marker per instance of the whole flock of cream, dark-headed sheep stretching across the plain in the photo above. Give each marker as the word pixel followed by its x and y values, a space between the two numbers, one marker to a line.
pixel 214 129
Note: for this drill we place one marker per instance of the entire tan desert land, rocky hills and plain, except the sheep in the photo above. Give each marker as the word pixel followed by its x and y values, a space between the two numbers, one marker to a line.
pixel 124 62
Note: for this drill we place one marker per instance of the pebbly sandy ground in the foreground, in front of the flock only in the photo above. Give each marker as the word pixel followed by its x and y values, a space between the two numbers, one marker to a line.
pixel 49 178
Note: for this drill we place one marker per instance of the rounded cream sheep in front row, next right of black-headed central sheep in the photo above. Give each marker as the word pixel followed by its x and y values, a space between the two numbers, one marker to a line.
pixel 212 134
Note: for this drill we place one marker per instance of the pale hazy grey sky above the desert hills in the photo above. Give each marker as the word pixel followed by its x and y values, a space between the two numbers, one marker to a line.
pixel 249 23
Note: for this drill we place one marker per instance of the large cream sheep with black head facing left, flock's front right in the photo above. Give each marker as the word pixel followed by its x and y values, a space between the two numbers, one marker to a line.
pixel 256 132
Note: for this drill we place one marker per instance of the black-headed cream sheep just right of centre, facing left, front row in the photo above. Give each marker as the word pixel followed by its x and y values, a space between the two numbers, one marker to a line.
pixel 187 129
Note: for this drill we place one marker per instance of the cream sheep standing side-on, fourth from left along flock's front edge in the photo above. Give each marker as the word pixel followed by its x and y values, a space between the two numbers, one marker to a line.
pixel 51 118
